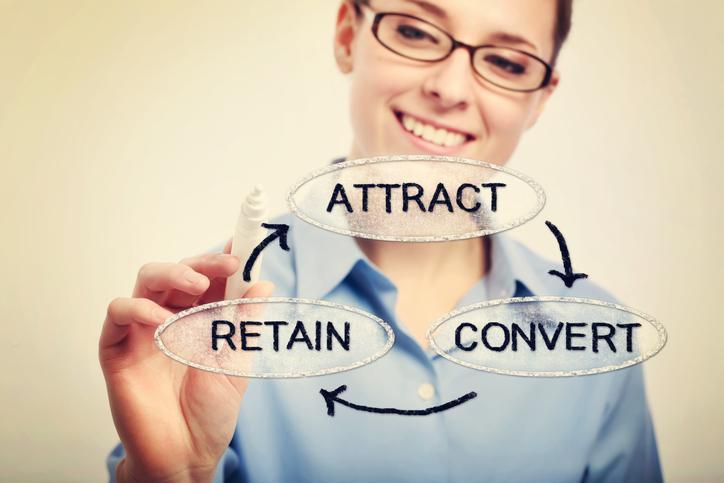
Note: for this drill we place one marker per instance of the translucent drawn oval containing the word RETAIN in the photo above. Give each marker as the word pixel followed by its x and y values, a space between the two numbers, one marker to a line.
pixel 220 336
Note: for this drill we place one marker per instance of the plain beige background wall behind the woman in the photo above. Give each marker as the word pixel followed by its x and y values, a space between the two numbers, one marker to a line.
pixel 129 131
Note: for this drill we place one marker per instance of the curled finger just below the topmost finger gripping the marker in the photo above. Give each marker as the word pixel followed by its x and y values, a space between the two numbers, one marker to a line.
pixel 156 279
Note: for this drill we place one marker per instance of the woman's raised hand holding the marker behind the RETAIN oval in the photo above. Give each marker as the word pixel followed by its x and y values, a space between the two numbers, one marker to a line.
pixel 175 421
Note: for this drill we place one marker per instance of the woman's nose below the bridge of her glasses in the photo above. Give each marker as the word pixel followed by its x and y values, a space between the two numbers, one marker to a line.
pixel 450 82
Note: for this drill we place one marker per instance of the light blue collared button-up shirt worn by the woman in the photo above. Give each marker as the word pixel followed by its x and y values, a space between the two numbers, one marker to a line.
pixel 518 429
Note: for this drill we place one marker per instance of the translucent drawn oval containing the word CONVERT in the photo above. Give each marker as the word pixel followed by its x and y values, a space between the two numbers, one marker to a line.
pixel 517 336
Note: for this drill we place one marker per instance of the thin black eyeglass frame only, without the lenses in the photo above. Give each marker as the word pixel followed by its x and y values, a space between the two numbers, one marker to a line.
pixel 455 45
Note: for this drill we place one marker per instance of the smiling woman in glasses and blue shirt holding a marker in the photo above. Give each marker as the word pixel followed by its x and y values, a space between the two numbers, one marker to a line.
pixel 414 90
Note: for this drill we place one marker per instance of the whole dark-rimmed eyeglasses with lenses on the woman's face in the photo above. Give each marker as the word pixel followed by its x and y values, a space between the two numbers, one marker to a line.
pixel 418 39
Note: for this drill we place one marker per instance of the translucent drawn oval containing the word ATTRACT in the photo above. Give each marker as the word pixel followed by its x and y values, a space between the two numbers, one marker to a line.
pixel 403 199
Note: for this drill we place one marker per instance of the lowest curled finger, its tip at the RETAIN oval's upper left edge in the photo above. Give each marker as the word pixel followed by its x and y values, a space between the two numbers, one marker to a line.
pixel 123 312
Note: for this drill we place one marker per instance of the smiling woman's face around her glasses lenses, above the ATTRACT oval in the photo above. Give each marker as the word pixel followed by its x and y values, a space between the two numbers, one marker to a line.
pixel 390 93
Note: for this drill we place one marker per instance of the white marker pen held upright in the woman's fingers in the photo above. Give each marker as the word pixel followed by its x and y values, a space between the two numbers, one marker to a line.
pixel 248 234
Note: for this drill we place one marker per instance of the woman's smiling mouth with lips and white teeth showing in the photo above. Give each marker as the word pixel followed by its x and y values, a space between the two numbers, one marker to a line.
pixel 432 135
